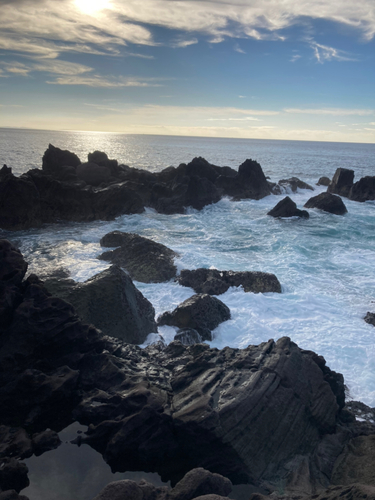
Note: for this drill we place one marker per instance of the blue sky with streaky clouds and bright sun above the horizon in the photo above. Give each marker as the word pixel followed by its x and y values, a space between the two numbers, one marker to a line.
pixel 268 69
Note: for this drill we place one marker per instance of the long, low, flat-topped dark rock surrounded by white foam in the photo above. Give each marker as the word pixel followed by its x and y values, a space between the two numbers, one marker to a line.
pixel 216 282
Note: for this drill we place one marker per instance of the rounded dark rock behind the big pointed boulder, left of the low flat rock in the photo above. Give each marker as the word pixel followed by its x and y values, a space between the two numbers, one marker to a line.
pixel 145 260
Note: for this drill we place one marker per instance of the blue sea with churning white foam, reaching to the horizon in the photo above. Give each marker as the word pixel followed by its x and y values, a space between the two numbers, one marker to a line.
pixel 326 264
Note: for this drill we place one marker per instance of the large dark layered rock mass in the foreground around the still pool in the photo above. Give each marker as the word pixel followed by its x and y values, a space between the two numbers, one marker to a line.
pixel 271 415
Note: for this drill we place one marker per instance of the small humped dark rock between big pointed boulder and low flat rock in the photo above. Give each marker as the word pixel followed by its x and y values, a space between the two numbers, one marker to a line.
pixel 200 312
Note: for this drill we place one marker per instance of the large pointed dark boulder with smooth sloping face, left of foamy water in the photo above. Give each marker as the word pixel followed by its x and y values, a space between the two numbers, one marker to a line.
pixel 111 302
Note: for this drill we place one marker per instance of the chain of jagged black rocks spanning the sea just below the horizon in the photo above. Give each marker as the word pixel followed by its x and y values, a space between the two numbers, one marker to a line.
pixel 68 189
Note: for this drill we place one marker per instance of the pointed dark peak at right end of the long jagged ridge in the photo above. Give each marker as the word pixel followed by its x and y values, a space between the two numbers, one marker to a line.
pixel 250 182
